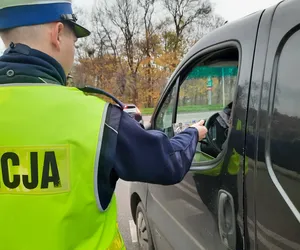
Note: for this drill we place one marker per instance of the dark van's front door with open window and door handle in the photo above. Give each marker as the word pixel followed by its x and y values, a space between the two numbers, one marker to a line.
pixel 205 210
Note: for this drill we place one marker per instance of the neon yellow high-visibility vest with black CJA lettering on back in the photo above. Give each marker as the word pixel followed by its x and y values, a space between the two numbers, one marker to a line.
pixel 50 139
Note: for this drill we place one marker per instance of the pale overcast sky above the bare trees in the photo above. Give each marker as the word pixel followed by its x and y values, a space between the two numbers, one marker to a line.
pixel 229 9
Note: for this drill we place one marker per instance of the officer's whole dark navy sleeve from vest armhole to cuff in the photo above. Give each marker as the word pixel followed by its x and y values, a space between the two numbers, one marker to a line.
pixel 132 153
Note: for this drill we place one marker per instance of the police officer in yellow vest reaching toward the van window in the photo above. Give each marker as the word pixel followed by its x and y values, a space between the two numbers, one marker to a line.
pixel 61 150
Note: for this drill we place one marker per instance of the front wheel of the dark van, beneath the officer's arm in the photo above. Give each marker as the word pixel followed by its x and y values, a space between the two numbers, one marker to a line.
pixel 143 229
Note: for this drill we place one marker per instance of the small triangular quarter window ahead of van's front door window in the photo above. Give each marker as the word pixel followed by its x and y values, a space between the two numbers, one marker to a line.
pixel 164 118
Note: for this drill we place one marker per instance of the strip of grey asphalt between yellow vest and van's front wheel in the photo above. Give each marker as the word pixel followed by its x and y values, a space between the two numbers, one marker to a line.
pixel 126 225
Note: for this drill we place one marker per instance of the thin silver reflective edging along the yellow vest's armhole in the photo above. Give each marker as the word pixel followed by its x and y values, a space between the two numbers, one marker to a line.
pixel 96 167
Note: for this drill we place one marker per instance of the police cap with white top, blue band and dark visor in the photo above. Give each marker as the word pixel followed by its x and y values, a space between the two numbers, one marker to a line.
pixel 17 13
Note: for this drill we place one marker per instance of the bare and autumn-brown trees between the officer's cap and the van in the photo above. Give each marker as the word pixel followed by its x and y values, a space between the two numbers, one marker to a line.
pixel 136 44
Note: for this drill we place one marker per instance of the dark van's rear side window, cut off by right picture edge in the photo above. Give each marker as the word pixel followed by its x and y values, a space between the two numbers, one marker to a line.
pixel 284 142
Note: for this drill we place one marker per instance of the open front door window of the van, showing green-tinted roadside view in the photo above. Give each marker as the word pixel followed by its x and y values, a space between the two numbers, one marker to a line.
pixel 205 88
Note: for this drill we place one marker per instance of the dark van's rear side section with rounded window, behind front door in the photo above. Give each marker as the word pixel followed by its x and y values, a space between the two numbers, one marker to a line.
pixel 273 180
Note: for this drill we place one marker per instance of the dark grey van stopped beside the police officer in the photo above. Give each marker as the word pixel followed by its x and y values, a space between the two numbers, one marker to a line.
pixel 243 189
